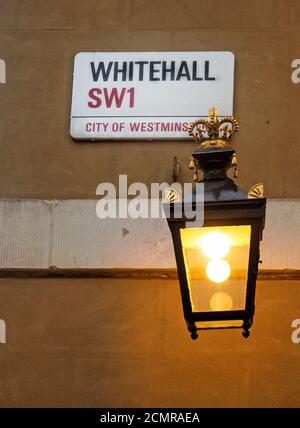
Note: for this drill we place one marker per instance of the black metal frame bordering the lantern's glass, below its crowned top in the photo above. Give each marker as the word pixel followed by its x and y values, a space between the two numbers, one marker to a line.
pixel 226 213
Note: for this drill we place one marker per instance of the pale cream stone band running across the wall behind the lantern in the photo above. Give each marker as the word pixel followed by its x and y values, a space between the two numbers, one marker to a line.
pixel 68 234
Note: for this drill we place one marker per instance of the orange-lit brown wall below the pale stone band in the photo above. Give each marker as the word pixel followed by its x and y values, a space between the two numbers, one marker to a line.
pixel 116 343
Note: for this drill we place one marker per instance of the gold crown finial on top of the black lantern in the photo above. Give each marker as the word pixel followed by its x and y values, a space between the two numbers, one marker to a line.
pixel 213 132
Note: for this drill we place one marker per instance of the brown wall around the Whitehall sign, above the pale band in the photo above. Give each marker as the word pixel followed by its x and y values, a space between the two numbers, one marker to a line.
pixel 38 41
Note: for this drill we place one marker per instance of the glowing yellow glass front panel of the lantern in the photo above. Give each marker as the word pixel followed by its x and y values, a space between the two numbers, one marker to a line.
pixel 216 263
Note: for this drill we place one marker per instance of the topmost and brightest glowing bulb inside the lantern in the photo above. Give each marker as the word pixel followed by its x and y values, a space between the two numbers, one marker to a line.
pixel 215 244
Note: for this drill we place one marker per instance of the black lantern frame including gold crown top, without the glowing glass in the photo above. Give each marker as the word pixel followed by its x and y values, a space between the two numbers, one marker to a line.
pixel 225 204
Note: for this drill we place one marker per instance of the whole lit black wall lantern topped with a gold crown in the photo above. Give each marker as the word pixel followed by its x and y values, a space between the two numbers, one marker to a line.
pixel 217 263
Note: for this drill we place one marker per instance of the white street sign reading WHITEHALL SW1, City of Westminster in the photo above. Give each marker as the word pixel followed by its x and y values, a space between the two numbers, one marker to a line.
pixel 147 95
